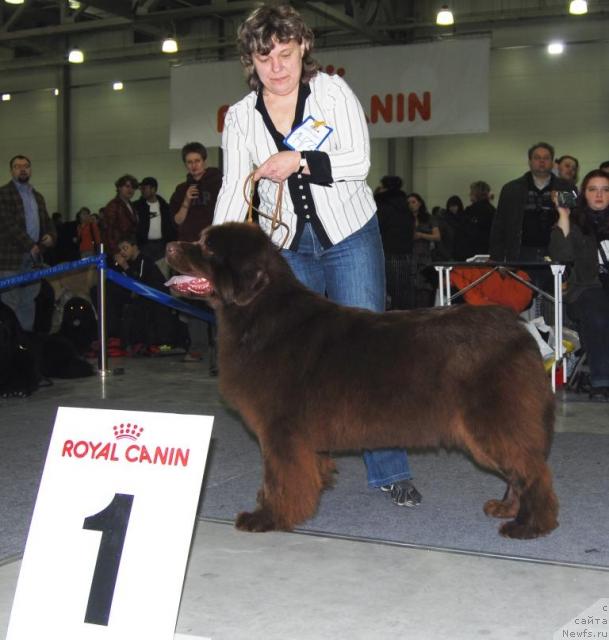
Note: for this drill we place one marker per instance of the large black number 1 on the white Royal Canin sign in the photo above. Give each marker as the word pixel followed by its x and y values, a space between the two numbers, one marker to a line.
pixel 112 522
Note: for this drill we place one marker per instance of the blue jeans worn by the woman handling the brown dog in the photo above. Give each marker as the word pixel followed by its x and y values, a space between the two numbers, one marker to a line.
pixel 351 273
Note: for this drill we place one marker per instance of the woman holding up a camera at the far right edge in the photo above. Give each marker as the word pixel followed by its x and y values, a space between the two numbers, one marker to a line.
pixel 581 238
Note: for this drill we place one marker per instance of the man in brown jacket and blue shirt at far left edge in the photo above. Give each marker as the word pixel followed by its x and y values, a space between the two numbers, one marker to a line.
pixel 25 230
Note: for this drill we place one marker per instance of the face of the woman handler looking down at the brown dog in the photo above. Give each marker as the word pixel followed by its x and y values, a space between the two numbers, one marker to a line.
pixel 280 70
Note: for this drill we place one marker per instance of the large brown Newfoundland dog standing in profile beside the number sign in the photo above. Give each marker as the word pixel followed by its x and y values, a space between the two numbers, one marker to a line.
pixel 310 377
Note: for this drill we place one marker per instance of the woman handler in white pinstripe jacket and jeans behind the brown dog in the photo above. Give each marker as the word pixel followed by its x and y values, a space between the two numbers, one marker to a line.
pixel 331 236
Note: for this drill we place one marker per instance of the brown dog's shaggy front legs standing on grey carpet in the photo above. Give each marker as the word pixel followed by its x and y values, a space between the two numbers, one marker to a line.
pixel 291 487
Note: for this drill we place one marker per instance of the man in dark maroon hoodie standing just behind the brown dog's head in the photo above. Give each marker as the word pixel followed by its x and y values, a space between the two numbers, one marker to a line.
pixel 192 206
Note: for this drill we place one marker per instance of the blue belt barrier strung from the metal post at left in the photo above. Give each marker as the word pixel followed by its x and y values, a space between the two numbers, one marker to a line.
pixel 128 283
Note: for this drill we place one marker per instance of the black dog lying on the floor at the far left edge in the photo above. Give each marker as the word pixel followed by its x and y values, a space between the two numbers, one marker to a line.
pixel 29 359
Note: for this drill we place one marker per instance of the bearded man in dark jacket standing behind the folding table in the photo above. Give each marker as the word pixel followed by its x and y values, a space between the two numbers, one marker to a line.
pixel 525 211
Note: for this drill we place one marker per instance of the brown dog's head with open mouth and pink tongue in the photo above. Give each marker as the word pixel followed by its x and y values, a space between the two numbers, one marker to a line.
pixel 231 264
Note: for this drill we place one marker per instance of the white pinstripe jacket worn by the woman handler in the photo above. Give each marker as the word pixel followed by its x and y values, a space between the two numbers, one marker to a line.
pixel 343 206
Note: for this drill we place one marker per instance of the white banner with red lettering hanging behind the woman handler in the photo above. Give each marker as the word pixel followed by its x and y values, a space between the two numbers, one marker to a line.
pixel 426 89
